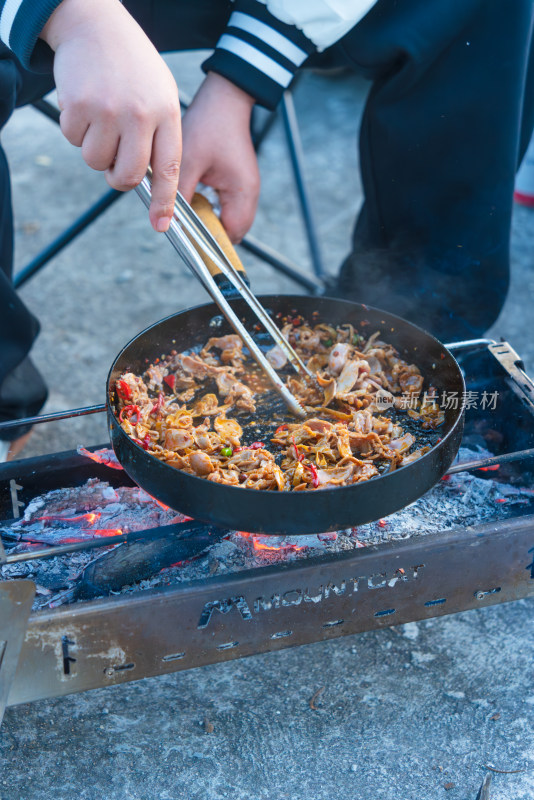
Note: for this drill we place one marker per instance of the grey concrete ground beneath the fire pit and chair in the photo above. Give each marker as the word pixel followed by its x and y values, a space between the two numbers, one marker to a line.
pixel 407 713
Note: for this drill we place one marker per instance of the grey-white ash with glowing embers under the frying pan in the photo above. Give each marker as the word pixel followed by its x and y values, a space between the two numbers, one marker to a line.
pixel 97 509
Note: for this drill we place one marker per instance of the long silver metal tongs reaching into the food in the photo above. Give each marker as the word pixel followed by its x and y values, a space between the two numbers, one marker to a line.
pixel 186 233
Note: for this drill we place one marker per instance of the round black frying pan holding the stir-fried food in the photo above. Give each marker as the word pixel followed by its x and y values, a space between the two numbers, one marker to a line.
pixel 303 512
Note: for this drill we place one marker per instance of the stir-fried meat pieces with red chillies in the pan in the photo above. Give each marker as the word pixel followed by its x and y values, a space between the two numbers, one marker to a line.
pixel 185 411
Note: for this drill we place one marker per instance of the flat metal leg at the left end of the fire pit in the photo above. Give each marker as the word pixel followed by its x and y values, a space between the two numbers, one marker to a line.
pixel 16 599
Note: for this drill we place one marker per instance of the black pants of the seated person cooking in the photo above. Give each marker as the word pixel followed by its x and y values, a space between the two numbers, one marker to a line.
pixel 449 115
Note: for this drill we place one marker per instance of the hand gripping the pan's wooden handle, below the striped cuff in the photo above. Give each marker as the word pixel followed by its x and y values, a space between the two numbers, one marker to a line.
pixel 218 151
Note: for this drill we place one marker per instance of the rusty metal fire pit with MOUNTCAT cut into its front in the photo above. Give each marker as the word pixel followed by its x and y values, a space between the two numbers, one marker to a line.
pixel 123 638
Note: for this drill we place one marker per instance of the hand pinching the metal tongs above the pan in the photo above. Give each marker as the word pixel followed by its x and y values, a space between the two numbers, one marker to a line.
pixel 118 99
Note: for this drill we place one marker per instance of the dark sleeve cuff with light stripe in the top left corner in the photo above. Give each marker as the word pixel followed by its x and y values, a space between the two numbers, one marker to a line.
pixel 21 22
